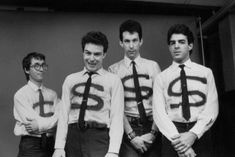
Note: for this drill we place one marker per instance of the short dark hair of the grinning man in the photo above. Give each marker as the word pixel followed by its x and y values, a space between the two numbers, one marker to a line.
pixel 97 38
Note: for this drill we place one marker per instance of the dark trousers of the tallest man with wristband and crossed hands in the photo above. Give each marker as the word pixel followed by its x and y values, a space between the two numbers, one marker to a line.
pixel 127 150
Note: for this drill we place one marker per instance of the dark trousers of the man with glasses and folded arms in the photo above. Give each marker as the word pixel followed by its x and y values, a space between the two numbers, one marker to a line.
pixel 32 147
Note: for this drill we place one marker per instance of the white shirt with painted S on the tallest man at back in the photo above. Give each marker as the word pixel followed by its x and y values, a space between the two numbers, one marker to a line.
pixel 147 71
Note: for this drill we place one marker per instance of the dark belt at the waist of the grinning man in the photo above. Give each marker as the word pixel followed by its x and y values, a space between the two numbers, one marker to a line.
pixel 89 125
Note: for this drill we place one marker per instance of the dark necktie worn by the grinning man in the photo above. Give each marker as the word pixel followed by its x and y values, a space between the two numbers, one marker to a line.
pixel 81 122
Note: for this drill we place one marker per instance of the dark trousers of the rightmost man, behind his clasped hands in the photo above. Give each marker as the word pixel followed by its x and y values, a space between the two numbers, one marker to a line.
pixel 202 147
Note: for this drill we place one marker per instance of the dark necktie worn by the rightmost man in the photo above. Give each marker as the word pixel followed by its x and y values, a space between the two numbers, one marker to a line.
pixel 185 101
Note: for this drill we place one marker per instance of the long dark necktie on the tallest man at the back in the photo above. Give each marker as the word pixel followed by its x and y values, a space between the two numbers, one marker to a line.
pixel 139 101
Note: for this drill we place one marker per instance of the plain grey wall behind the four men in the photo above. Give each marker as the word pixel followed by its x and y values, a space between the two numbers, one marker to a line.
pixel 58 36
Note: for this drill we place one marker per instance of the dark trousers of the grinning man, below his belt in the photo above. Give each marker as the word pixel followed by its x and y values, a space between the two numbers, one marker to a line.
pixel 91 142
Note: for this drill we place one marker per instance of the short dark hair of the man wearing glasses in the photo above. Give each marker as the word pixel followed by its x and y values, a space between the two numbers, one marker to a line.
pixel 26 62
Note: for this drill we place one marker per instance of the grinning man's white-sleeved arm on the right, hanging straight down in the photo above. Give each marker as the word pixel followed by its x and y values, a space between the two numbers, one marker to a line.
pixel 116 117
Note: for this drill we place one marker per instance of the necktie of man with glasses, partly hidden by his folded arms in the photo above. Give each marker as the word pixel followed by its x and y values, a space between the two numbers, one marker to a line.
pixel 41 113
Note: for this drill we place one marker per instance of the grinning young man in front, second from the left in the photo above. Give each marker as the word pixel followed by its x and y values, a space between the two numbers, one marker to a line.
pixel 92 106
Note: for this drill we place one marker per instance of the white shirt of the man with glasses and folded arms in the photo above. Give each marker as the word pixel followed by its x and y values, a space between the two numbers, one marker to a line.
pixel 25 107
